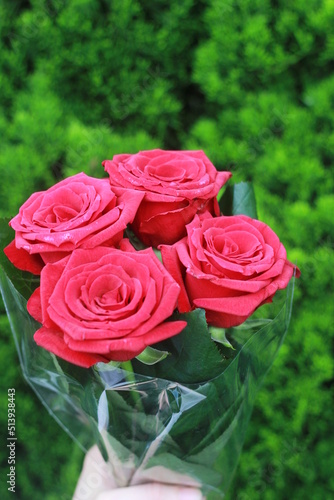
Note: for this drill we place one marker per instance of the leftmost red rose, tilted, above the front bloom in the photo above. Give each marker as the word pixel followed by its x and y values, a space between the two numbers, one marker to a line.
pixel 78 212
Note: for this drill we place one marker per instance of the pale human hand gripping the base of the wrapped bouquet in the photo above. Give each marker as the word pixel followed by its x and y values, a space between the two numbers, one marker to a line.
pixel 96 482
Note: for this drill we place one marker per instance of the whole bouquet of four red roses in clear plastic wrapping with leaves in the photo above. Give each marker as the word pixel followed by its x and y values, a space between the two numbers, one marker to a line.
pixel 152 314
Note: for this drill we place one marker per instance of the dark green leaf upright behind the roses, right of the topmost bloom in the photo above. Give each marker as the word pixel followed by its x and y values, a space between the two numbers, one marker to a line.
pixel 239 200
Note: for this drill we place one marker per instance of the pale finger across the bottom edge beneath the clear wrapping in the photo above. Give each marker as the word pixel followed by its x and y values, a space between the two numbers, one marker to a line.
pixel 152 491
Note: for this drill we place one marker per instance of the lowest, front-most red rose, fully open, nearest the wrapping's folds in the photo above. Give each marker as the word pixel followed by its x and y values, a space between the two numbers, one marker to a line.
pixel 104 304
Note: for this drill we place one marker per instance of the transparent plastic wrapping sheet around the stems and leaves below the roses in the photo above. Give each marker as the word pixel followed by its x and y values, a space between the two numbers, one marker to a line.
pixel 151 428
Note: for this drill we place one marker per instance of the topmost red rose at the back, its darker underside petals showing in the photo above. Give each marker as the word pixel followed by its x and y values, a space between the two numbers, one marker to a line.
pixel 177 185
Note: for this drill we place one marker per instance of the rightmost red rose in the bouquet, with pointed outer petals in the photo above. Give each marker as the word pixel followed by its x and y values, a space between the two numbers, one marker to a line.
pixel 228 266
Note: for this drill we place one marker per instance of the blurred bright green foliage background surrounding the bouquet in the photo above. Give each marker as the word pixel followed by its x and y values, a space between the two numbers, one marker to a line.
pixel 248 81
